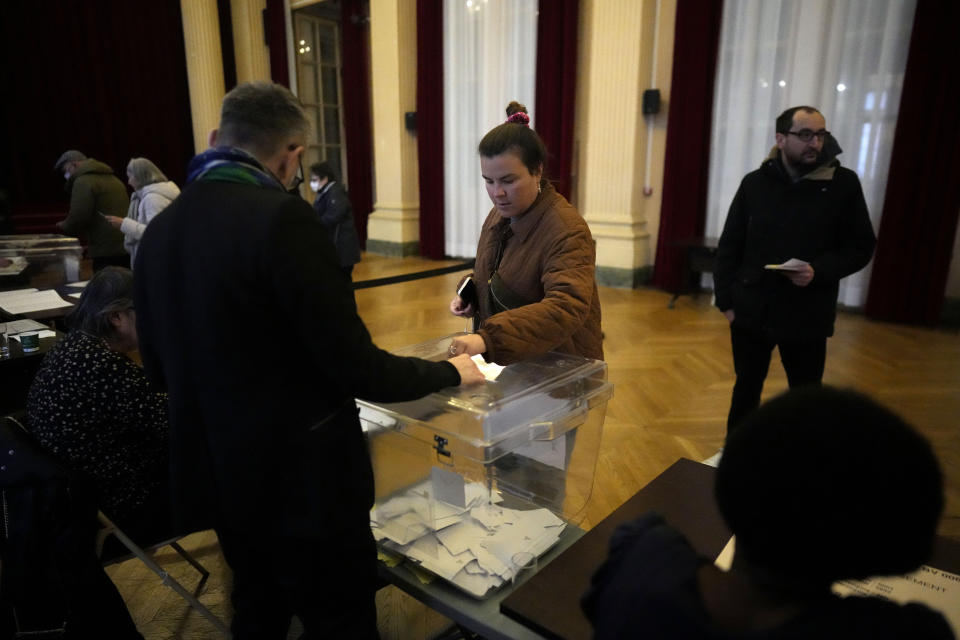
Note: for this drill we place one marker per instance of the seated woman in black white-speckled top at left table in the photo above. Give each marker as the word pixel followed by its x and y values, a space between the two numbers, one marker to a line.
pixel 90 406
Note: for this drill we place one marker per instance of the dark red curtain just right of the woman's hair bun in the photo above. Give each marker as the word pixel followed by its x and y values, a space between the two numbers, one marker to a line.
pixel 557 85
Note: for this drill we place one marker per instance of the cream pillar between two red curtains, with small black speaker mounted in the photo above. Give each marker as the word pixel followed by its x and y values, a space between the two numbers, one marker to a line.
pixel 625 48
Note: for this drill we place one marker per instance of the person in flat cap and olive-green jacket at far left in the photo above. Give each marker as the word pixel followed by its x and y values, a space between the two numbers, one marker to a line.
pixel 94 190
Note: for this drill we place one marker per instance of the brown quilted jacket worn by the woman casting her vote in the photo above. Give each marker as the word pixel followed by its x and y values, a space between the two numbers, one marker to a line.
pixel 549 261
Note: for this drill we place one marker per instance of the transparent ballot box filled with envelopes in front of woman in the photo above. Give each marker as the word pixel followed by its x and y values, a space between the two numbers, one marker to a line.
pixel 475 483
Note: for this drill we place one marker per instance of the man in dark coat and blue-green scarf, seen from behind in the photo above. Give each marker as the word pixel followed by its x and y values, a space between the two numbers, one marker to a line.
pixel 243 314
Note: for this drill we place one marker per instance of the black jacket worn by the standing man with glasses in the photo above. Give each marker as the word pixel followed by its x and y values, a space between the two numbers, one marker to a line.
pixel 821 218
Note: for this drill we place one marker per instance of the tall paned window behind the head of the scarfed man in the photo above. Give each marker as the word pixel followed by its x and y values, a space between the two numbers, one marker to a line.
pixel 317 48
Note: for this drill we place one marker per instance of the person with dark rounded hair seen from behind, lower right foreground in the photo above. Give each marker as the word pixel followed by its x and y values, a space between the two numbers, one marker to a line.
pixel 819 485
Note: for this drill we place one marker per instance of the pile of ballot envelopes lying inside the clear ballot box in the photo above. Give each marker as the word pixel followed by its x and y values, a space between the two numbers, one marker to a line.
pixel 461 532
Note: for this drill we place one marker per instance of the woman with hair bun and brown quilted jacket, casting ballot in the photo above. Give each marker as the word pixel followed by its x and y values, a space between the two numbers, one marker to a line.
pixel 536 288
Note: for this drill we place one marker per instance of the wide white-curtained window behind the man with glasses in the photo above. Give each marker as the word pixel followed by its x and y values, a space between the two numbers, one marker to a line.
pixel 845 58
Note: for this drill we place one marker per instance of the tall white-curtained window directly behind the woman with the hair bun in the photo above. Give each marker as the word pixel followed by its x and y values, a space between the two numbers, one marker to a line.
pixel 490 58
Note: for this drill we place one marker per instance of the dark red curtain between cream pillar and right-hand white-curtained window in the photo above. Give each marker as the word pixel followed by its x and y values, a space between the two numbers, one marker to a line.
pixel 687 163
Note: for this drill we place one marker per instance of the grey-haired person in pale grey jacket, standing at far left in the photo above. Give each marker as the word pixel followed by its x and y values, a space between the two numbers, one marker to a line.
pixel 152 192
